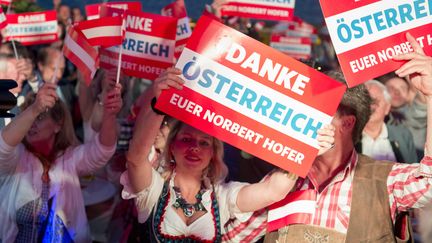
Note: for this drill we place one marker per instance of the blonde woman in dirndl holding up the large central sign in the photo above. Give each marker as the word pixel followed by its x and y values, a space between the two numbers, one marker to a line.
pixel 190 201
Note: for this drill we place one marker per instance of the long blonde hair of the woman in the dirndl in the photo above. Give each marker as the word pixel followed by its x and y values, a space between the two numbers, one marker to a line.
pixel 216 171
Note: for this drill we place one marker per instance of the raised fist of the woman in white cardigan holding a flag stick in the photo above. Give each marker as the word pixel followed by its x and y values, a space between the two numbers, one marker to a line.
pixel 45 98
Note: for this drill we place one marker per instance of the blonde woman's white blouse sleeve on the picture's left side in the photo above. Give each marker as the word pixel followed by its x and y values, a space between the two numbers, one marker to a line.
pixel 146 199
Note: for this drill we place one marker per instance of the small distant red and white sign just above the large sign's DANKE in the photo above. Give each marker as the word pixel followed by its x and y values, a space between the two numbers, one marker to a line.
pixel 298 48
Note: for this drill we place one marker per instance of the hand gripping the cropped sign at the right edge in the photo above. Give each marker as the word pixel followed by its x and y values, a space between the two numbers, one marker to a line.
pixel 418 67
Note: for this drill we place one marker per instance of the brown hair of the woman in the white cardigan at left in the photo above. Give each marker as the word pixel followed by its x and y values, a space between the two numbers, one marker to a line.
pixel 65 138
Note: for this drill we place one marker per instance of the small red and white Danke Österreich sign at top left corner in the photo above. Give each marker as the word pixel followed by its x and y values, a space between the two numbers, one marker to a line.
pixel 32 28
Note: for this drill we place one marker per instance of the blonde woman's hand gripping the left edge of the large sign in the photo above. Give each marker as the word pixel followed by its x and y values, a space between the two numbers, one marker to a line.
pixel 169 78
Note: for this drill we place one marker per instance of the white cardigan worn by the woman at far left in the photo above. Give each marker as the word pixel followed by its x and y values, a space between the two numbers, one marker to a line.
pixel 20 183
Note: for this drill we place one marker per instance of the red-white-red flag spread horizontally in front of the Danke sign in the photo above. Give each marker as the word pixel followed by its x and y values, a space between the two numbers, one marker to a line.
pixel 105 32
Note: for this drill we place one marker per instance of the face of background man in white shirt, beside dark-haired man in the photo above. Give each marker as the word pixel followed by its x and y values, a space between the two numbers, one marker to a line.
pixel 380 107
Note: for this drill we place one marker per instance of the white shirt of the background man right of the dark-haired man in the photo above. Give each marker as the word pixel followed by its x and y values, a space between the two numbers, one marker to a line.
pixel 379 148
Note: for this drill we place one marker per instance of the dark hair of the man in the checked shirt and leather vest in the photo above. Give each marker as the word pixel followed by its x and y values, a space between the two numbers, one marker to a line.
pixel 355 101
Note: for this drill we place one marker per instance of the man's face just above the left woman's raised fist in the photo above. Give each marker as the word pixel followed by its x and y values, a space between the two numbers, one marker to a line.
pixel 48 69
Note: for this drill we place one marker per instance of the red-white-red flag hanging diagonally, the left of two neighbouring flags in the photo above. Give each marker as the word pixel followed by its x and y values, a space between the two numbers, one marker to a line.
pixel 81 53
